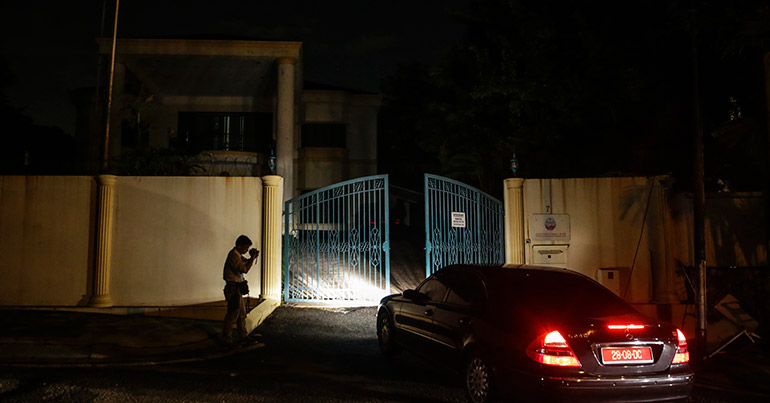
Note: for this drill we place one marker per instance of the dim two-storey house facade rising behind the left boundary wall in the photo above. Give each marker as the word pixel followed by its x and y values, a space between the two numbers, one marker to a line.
pixel 232 106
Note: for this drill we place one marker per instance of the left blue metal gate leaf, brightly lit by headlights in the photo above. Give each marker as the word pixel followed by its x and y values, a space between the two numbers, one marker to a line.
pixel 336 243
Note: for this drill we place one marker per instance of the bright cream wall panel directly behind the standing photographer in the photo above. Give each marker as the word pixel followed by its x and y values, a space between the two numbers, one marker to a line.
pixel 172 234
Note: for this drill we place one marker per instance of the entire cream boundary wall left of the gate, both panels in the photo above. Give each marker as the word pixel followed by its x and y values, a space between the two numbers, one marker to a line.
pixel 170 238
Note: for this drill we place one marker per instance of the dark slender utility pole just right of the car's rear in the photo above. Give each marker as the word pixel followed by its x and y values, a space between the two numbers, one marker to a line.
pixel 699 200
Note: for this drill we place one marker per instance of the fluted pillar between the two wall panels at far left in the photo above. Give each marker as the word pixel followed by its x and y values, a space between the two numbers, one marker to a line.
pixel 100 297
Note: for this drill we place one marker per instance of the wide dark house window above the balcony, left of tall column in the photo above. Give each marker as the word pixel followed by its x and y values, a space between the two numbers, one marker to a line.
pixel 250 132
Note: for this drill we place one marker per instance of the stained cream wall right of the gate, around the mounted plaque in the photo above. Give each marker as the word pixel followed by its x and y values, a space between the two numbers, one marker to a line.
pixel 606 224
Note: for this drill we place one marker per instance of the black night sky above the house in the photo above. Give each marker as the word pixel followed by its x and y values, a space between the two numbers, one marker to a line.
pixel 49 46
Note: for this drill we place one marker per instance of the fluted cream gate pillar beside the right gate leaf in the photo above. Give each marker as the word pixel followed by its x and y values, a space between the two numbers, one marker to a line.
pixel 514 220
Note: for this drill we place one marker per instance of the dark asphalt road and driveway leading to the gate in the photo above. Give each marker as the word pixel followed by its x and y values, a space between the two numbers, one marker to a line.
pixel 318 355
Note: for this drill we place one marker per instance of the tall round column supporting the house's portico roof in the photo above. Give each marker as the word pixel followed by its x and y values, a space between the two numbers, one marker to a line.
pixel 285 125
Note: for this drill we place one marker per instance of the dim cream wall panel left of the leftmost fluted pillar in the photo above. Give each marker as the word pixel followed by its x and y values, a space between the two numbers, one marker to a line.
pixel 46 227
